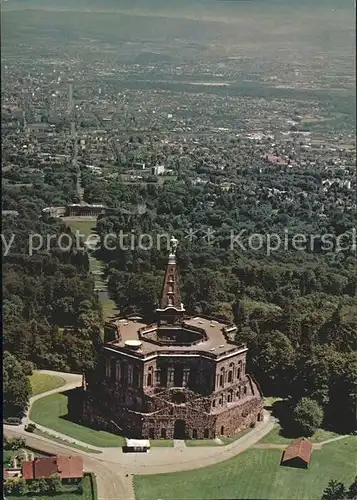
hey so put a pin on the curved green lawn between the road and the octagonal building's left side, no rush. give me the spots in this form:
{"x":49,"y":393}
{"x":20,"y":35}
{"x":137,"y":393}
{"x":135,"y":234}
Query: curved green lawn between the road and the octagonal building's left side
{"x":48,"y":411}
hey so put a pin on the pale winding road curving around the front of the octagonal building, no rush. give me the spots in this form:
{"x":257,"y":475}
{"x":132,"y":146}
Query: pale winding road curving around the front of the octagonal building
{"x":114,"y":469}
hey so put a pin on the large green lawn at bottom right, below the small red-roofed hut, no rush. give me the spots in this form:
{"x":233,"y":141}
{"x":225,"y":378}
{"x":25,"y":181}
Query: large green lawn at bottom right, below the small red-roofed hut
{"x":256,"y":473}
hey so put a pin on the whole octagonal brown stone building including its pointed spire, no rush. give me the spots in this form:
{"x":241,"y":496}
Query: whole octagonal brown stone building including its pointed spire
{"x":179,"y":378}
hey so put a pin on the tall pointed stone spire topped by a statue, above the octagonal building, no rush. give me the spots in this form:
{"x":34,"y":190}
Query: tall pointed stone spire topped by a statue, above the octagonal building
{"x":170,"y":308}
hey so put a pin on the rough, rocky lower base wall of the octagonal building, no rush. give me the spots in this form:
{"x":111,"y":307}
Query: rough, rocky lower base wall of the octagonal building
{"x":167,"y":413}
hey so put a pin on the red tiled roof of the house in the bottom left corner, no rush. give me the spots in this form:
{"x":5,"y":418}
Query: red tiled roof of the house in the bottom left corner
{"x":66,"y":467}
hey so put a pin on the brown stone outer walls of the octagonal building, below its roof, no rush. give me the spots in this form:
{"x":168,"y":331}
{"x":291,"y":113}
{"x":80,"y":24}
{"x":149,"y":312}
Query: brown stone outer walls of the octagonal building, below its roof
{"x":124,"y":394}
